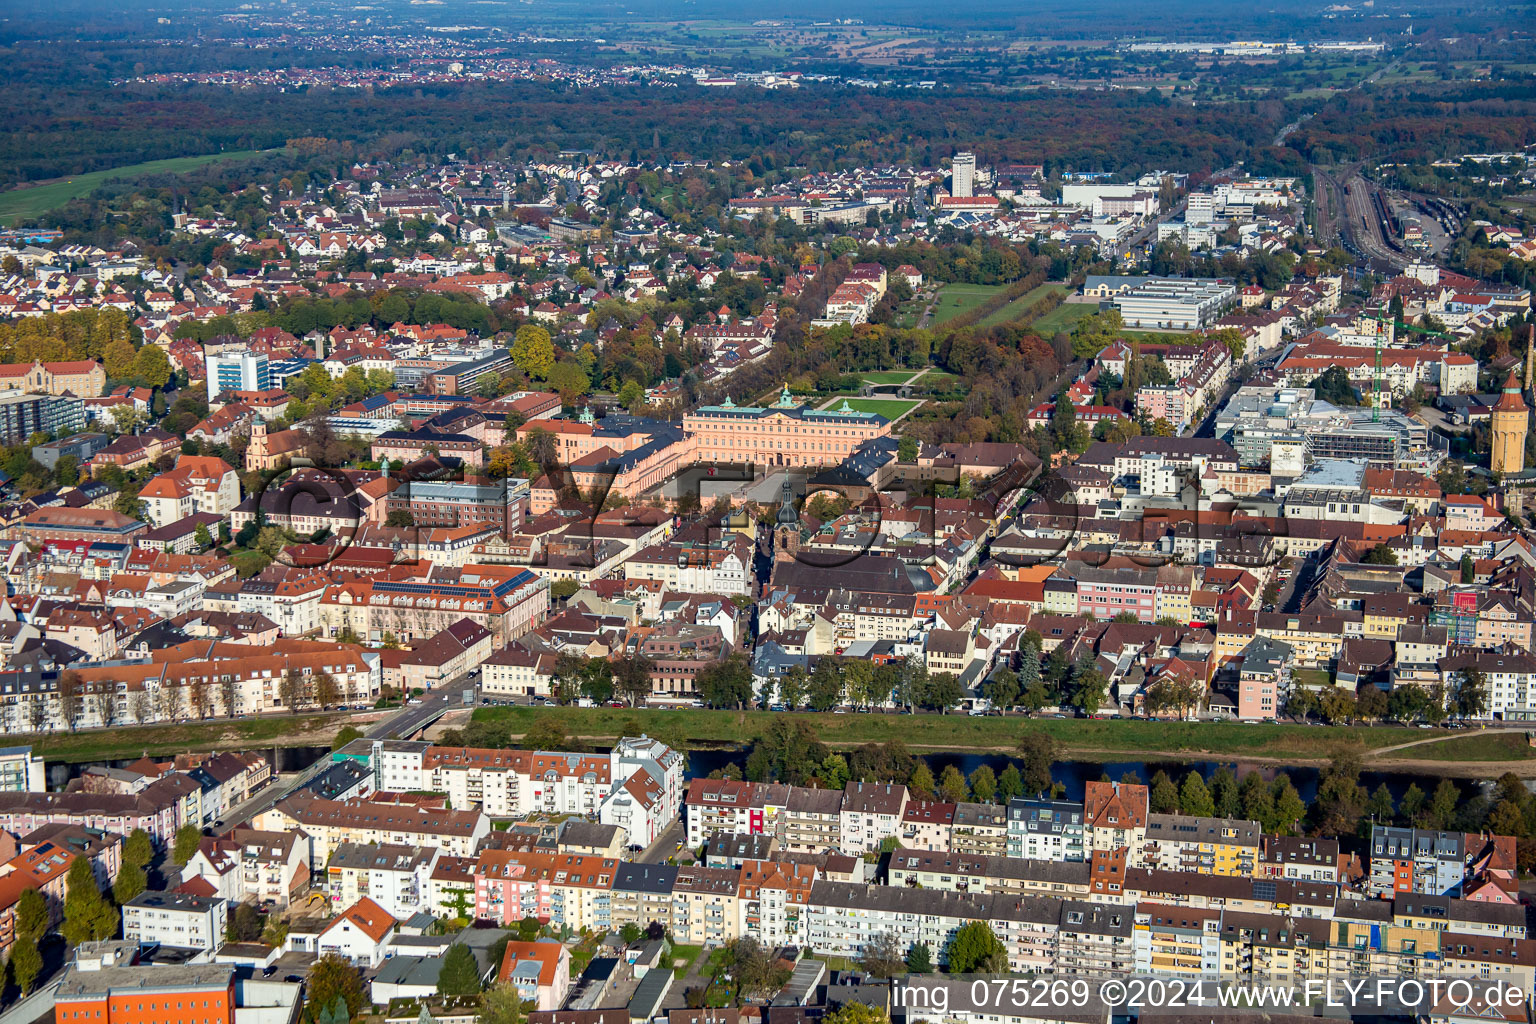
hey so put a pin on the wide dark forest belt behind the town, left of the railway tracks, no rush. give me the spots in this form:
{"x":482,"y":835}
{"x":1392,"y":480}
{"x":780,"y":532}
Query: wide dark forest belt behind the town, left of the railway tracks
{"x":64,"y":130}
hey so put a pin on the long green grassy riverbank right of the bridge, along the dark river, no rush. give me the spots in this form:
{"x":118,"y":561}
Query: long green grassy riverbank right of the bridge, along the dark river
{"x":1108,"y":739}
